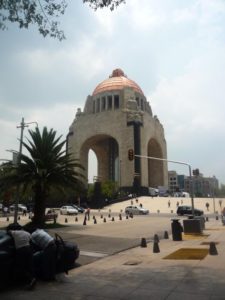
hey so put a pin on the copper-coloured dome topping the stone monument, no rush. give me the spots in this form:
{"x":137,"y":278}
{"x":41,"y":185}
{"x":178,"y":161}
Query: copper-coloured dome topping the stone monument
{"x":117,"y":81}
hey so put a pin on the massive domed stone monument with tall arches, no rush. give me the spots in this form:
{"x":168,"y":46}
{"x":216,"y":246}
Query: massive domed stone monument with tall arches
{"x":116,"y":118}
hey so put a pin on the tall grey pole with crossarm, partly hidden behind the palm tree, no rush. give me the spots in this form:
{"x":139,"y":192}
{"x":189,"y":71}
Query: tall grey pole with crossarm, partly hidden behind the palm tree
{"x":21,"y":126}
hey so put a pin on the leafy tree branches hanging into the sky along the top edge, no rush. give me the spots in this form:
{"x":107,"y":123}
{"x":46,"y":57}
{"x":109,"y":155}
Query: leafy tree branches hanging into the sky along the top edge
{"x":43,"y":13}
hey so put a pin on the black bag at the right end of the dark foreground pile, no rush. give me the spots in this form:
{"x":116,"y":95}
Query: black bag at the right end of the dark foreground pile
{"x":66,"y":254}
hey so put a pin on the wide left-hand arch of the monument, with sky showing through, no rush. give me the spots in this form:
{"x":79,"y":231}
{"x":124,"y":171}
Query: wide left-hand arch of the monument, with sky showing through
{"x":106,"y":149}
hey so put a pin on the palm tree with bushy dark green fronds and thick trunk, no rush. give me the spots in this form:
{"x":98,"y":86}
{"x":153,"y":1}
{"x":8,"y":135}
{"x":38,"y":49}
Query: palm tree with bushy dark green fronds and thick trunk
{"x":47,"y":166}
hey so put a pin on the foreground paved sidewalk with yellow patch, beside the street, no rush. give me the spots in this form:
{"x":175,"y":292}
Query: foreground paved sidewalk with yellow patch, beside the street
{"x":139,"y":273}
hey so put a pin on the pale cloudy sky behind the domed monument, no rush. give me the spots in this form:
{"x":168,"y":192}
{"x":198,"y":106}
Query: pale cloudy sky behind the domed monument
{"x":173,"y":49}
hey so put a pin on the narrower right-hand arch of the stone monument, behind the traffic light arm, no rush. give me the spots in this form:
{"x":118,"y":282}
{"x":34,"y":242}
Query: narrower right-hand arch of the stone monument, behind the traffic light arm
{"x":155,"y":167}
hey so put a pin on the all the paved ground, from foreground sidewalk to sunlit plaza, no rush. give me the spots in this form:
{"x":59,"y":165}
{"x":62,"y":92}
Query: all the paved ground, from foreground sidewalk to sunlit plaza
{"x":118,"y":268}
